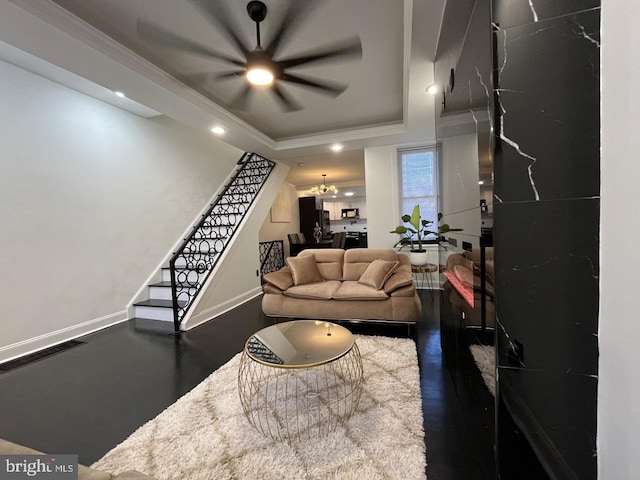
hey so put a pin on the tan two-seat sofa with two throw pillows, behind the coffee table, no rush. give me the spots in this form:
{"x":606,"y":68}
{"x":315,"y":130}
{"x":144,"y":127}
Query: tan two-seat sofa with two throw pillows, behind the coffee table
{"x":334,"y":284}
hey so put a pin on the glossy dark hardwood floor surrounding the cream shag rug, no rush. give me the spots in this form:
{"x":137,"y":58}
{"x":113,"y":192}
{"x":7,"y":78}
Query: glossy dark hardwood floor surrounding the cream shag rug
{"x":89,"y":398}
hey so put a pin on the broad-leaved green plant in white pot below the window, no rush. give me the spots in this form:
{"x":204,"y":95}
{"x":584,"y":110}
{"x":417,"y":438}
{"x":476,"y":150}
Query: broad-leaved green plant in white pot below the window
{"x":419,"y":228}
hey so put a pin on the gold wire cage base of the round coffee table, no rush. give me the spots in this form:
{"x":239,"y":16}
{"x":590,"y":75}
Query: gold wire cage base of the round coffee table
{"x":299,"y":403}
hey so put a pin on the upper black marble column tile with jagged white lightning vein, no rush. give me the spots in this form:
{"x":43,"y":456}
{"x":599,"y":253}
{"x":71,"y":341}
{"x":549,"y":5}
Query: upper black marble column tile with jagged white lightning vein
{"x":549,"y":143}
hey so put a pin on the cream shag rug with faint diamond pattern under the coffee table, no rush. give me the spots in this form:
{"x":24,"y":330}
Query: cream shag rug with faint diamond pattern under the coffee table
{"x":205,"y":435}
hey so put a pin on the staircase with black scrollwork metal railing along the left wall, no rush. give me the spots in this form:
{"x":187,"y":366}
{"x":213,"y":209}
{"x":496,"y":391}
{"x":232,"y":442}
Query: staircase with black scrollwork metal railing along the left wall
{"x":193,"y":262}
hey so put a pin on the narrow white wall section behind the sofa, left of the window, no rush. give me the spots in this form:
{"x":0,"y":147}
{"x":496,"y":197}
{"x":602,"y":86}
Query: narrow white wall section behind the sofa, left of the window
{"x":383,"y":207}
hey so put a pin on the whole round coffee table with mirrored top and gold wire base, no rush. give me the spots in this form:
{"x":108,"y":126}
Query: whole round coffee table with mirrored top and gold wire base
{"x":300,"y":379}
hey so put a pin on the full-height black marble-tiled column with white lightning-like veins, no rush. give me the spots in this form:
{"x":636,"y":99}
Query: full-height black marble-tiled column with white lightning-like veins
{"x":546,"y":231}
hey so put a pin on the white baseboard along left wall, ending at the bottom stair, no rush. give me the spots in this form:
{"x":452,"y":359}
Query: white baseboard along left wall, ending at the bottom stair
{"x":16,"y":350}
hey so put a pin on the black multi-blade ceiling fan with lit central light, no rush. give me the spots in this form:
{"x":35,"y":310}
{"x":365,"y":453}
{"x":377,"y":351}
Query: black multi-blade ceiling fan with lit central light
{"x":260,"y":67}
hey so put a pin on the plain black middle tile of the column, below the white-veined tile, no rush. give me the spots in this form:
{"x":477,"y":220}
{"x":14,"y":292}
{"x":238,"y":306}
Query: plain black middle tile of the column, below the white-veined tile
{"x":547,"y":280}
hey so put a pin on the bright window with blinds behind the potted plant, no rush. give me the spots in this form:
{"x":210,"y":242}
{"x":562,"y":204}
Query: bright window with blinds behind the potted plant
{"x":419,"y":182}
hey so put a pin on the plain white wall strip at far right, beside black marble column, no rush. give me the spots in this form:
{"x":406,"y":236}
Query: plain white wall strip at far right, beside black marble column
{"x":619,"y":331}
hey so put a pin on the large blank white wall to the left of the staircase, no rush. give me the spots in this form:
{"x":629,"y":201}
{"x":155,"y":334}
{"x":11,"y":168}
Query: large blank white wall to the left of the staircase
{"x":91,"y":200}
